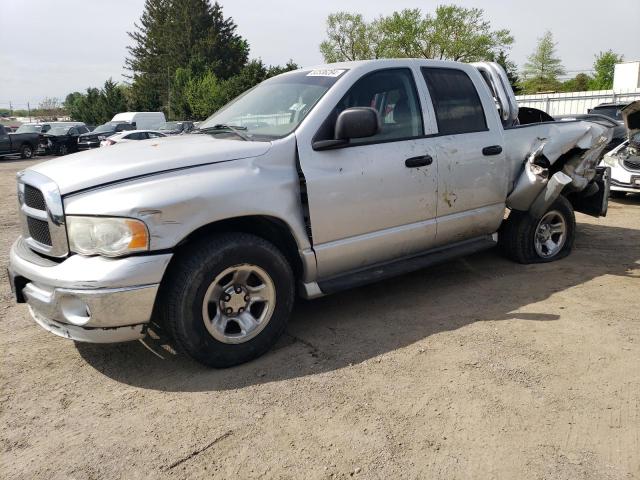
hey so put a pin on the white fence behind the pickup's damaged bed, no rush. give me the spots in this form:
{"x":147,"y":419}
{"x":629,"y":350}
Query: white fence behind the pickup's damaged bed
{"x":574,"y":103}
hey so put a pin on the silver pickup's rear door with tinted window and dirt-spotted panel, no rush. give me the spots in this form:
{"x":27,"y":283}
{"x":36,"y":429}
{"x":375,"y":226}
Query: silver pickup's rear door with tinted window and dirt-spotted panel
{"x":472,"y":178}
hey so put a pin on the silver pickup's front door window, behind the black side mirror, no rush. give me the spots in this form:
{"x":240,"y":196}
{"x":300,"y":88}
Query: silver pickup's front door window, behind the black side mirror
{"x":392,"y":93}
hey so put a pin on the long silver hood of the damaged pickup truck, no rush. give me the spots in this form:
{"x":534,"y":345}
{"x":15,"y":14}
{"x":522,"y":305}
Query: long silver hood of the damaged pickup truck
{"x":126,"y":160}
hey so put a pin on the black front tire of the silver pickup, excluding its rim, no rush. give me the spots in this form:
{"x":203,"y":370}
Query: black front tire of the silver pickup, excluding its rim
{"x":191,"y":273}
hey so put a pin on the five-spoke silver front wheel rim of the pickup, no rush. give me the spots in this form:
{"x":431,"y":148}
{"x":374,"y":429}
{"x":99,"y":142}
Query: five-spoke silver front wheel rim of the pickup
{"x":239,"y":303}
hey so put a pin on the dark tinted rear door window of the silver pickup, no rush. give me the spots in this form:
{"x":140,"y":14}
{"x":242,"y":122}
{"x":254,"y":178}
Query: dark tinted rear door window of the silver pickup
{"x":455,"y":101}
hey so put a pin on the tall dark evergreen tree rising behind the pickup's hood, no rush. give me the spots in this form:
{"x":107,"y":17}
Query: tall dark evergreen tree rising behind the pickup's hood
{"x":192,"y":35}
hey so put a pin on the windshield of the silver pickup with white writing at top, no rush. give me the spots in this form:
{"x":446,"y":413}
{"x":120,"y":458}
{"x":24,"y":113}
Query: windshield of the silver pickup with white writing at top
{"x":274,"y":108}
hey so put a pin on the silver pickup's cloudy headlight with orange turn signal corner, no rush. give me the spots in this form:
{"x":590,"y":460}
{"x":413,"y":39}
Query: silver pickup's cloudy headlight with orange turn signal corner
{"x":108,"y":236}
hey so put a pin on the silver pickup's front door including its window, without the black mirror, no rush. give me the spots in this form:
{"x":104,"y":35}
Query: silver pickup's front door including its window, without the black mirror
{"x":375,"y":199}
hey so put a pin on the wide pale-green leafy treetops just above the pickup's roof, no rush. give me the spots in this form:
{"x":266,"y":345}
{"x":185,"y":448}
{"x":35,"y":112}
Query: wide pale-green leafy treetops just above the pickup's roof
{"x":452,"y":33}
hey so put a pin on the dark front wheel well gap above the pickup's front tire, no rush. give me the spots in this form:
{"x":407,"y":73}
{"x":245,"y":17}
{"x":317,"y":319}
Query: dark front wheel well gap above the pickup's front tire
{"x":271,"y":229}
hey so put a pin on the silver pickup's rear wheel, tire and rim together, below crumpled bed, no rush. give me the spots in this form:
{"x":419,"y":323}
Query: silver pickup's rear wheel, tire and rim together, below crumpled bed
{"x":538,"y":240}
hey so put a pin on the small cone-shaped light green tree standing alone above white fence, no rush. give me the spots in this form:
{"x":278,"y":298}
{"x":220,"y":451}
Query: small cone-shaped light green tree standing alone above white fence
{"x":543,"y":68}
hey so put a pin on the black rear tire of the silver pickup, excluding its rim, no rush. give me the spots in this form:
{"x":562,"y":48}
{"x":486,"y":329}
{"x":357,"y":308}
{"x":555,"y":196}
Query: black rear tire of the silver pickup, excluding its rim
{"x":516,"y":237}
